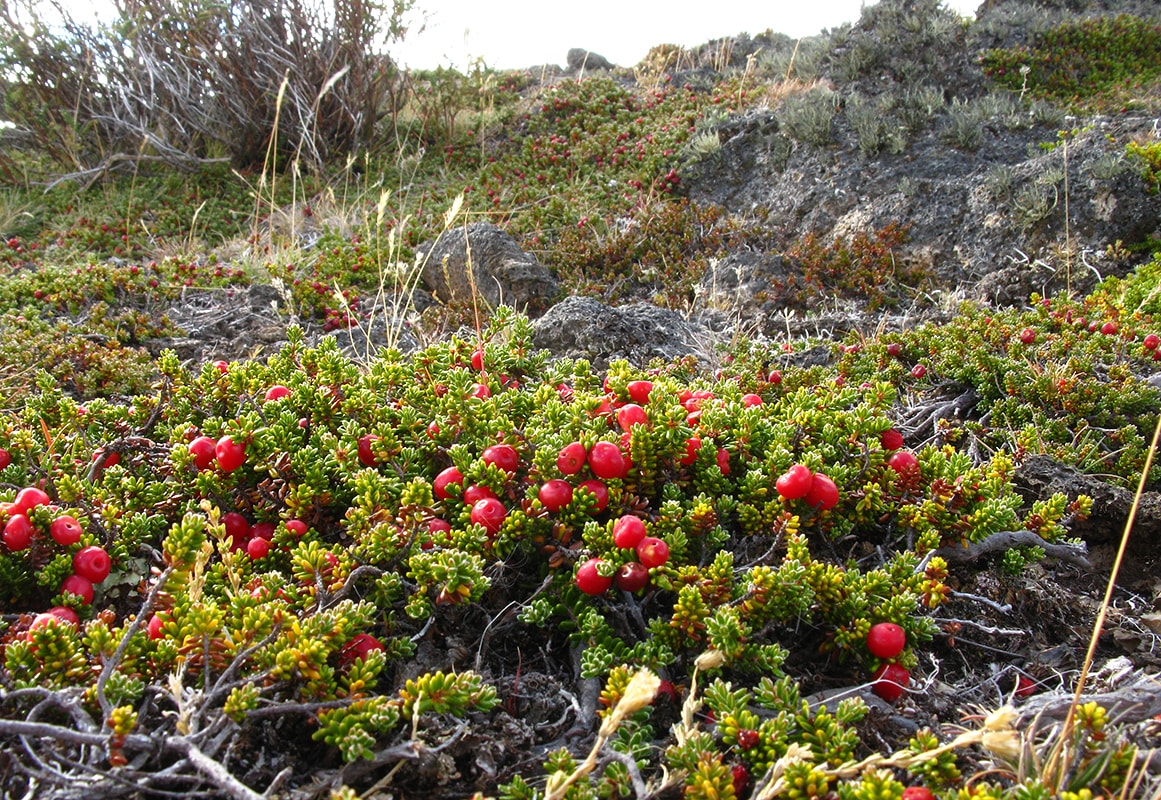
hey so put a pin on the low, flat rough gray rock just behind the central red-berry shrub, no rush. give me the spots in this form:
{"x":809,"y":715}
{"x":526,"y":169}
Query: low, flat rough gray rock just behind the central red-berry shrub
{"x":582,"y":328}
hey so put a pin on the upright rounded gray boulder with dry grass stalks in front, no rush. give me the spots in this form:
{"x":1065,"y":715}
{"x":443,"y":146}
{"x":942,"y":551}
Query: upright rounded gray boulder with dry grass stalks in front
{"x":501,"y":272}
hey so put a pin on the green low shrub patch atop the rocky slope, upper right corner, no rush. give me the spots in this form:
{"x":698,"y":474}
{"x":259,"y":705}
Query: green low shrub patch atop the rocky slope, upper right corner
{"x":1104,"y":63}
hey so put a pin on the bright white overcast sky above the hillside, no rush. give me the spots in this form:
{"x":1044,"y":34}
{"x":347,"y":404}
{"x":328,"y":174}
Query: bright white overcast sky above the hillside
{"x":514,"y":34}
